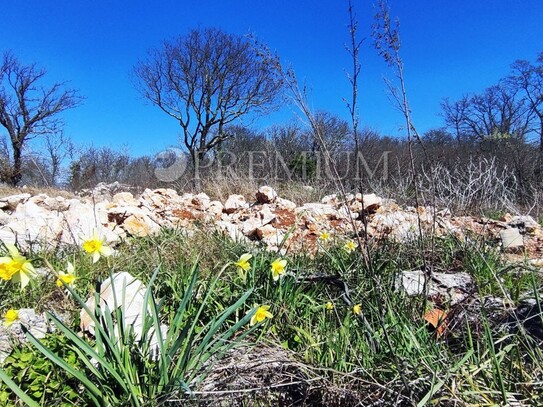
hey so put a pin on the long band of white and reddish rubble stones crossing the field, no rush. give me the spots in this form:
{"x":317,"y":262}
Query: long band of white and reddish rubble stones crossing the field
{"x":277,"y":223}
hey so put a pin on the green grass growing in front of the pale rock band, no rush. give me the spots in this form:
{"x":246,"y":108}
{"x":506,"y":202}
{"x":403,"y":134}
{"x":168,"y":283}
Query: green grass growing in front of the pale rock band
{"x":388,"y":353}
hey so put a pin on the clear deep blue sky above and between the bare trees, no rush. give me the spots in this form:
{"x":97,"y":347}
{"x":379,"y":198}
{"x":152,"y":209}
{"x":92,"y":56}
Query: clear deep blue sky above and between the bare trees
{"x":449,"y":48}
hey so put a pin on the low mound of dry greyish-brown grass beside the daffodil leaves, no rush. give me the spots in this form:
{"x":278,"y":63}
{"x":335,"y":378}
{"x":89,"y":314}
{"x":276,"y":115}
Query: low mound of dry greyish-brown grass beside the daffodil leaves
{"x":265,"y":375}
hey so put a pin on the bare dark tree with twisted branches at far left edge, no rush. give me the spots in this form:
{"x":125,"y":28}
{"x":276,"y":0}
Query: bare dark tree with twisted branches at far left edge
{"x":28,"y":110}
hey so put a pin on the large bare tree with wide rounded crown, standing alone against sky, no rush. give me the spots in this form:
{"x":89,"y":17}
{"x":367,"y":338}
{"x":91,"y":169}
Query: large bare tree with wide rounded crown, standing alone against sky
{"x":206,"y":80}
